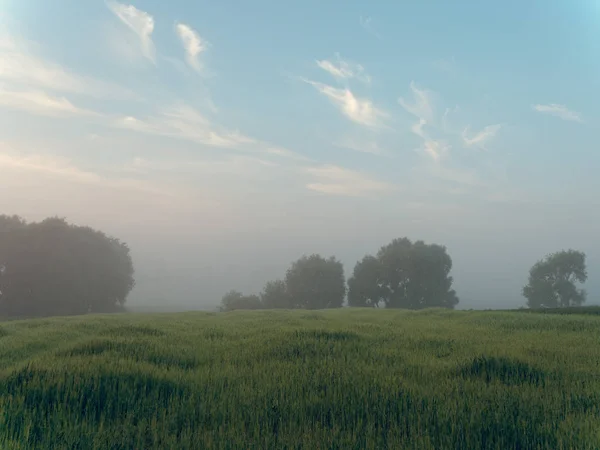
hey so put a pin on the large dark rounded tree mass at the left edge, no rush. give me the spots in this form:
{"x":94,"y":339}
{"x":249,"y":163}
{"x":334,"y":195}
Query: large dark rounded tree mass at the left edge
{"x":54,"y":268}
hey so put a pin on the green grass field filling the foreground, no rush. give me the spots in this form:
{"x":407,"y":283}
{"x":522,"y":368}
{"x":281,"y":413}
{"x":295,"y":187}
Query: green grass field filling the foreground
{"x":346,"y":379}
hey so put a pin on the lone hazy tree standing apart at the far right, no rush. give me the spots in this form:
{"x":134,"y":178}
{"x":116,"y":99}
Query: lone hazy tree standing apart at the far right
{"x":552,"y":281}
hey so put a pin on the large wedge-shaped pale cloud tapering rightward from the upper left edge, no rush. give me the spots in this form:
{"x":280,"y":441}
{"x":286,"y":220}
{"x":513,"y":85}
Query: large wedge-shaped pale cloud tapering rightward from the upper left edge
{"x":20,"y":67}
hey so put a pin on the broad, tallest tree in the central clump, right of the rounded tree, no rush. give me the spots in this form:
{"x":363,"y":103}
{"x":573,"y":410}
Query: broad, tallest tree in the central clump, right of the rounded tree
{"x":404,"y":275}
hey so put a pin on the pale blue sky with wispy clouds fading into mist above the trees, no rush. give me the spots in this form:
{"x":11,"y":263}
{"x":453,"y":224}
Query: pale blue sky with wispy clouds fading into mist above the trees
{"x":222,"y":140}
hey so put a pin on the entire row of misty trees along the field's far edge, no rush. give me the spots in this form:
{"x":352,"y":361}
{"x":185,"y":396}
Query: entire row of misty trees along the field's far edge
{"x":56,"y":268}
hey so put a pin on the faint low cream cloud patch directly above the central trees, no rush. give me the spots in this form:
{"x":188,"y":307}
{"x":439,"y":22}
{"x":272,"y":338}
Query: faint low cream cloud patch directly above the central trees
{"x":335,"y":180}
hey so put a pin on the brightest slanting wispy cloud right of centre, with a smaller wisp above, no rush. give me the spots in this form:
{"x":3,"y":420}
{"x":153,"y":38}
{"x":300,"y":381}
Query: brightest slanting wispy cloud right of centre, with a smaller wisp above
{"x":359,"y":110}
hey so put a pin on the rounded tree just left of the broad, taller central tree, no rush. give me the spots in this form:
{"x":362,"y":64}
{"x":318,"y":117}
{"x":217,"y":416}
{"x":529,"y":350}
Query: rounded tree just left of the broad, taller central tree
{"x":314,"y":282}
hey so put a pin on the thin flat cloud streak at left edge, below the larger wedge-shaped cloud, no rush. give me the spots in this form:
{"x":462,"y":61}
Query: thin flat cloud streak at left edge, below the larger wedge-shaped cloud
{"x":38,"y":102}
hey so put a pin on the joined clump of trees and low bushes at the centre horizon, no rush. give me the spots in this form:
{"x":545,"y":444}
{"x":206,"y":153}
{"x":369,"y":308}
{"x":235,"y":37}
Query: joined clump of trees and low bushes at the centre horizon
{"x":403,"y":274}
